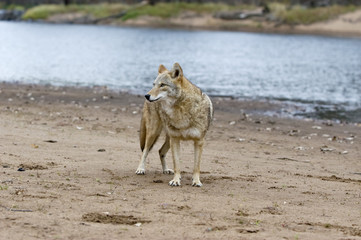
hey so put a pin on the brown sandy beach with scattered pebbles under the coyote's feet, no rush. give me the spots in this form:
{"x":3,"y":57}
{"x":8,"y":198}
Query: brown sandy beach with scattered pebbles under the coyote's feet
{"x":264,"y":177}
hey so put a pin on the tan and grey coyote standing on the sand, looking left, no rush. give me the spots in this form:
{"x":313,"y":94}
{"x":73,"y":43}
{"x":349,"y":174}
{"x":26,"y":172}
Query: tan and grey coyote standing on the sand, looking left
{"x":179,"y":107}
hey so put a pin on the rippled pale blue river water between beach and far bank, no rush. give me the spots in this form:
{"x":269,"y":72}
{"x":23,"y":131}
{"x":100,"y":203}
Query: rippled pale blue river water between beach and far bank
{"x":320,"y":74}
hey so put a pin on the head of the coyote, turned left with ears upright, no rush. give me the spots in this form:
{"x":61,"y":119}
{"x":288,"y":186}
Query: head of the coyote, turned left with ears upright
{"x":167,"y":84}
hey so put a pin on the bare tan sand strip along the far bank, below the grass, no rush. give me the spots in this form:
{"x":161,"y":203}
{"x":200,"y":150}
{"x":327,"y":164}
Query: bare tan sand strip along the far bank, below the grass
{"x":345,"y":25}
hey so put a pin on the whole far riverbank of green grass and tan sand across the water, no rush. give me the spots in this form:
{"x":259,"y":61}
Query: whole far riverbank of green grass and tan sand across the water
{"x":344,"y":21}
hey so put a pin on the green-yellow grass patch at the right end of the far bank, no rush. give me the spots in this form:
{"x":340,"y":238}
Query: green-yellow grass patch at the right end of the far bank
{"x":302,"y":15}
